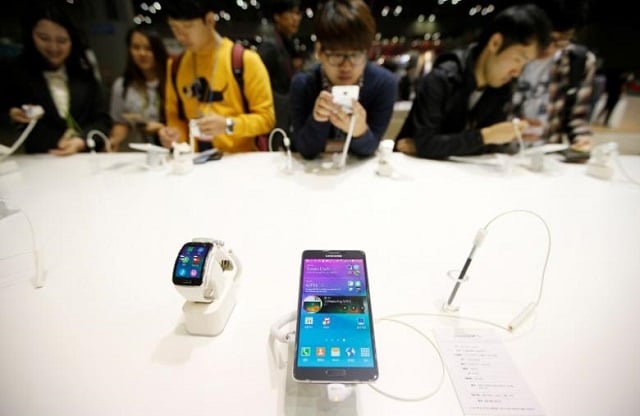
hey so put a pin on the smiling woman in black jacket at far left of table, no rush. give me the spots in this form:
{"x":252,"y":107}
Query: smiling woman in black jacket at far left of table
{"x":53,"y":71}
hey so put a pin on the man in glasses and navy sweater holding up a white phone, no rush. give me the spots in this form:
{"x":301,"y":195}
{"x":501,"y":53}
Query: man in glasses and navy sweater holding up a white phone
{"x":345,"y":30}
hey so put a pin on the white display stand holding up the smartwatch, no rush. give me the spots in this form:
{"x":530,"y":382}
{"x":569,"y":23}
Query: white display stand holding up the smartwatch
{"x":209,"y":319}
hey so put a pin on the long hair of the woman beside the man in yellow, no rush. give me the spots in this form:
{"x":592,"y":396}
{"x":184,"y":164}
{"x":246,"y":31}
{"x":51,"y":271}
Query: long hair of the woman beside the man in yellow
{"x":133,"y":75}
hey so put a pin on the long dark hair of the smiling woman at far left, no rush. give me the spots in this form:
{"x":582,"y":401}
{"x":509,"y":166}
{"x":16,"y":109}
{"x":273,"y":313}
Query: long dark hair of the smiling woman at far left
{"x":76,"y":63}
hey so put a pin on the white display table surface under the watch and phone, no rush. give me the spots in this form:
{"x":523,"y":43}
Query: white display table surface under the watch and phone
{"x":105,"y":335}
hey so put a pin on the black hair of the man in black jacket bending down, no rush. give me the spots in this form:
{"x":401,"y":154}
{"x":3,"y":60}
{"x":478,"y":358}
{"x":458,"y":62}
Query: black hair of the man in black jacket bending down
{"x":522,"y":24}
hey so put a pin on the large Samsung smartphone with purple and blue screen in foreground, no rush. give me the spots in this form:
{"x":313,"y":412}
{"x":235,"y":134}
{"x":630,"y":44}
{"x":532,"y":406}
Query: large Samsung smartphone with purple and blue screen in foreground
{"x":334,"y":331}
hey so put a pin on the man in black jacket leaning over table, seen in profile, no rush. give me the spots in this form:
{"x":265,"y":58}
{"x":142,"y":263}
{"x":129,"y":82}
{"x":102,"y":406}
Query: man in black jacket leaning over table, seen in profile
{"x":462,"y":104}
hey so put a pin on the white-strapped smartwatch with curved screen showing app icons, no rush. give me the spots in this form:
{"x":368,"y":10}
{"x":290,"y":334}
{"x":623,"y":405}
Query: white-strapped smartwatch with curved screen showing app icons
{"x":199,"y":272}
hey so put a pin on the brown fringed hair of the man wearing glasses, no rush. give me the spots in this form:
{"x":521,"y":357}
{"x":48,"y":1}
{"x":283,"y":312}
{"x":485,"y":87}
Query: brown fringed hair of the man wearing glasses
{"x":344,"y":24}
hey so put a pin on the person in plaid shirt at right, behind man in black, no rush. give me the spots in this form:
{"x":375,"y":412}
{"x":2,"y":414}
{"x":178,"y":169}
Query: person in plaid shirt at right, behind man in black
{"x":554,"y":91}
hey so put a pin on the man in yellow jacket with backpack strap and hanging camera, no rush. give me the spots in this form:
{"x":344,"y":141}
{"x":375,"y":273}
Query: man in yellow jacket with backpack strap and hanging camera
{"x":201,"y":87}
